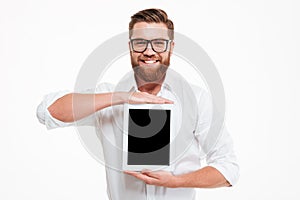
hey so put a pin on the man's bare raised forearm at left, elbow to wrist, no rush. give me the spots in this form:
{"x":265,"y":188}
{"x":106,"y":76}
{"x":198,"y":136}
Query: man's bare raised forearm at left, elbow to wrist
{"x":75,"y":106}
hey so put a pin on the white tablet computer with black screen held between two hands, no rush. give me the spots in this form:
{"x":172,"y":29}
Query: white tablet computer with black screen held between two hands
{"x":147,"y":134}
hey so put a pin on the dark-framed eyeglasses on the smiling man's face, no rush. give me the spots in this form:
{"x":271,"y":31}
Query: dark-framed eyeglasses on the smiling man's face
{"x":157,"y":45}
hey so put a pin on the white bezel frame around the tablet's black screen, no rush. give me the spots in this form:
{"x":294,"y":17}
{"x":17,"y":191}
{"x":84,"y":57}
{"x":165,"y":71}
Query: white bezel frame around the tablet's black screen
{"x":125,"y":136}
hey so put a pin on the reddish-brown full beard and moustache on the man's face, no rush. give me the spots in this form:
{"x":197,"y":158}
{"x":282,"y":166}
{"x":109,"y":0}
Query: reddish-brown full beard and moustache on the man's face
{"x":151,"y":73}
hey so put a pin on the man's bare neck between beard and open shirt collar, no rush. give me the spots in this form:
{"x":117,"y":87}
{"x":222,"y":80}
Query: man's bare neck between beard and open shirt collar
{"x":149,"y":87}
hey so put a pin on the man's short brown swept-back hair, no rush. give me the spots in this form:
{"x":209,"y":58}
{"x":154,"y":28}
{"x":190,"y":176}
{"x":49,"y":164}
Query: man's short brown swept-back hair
{"x":152,"y":15}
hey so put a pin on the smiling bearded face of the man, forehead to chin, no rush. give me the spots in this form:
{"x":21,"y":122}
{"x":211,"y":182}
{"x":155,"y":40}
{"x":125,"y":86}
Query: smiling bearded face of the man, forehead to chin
{"x":150,"y":66}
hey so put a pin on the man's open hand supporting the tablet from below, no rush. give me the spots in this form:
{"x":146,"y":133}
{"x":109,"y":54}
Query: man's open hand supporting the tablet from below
{"x":158,"y":178}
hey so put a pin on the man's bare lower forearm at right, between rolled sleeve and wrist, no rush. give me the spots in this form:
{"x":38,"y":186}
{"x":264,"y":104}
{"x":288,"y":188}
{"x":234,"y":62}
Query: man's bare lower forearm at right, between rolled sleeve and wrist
{"x":207,"y":177}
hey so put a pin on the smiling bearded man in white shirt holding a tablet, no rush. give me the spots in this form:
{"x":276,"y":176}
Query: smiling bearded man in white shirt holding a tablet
{"x":151,"y":45}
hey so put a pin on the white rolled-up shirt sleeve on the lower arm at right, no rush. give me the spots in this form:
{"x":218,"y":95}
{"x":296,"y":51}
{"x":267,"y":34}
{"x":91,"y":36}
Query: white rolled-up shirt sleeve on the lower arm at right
{"x":221,"y":153}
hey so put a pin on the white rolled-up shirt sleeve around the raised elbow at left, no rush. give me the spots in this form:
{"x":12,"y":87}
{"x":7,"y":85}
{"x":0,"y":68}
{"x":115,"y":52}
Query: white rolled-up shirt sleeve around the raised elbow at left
{"x":50,"y":122}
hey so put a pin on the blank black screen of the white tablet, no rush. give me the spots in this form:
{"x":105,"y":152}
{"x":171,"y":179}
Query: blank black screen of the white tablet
{"x":148,"y":137}
